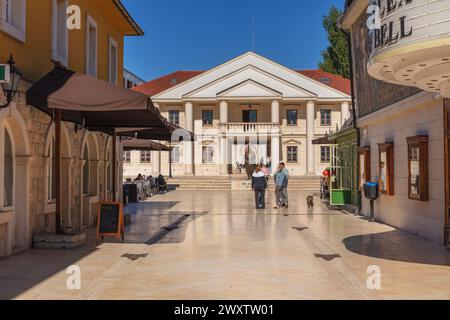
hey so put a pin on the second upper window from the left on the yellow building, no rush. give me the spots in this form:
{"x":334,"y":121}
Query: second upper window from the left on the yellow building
{"x":59,"y":32}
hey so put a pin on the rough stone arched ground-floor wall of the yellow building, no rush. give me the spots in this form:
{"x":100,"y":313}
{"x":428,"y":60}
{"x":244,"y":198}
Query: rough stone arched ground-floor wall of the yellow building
{"x":34,"y":126}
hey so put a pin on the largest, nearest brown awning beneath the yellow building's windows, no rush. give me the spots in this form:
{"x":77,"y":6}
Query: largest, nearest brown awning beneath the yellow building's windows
{"x":91,"y":102}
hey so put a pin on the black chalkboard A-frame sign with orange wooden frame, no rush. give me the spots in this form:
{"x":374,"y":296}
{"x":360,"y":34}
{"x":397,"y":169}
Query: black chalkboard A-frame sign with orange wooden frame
{"x":110,"y":220}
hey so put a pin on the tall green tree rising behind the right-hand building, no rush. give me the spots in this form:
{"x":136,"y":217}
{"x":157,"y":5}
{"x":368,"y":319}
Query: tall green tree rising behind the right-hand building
{"x":336,"y":56}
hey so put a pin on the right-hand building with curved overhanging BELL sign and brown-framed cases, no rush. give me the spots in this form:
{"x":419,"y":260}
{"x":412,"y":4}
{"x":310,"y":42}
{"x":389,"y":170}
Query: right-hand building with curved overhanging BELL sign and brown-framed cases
{"x":401,"y":80}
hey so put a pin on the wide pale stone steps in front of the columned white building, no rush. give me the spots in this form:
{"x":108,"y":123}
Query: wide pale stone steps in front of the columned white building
{"x":239,"y":183}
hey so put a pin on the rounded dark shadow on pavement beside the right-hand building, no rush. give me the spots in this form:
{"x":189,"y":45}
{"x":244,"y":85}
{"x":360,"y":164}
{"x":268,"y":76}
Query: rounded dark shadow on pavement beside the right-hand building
{"x":398,"y":246}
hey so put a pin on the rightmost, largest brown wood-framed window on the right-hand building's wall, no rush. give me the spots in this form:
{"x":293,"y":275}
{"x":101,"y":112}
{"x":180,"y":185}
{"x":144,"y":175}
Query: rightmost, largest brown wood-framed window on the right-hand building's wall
{"x":418,"y":168}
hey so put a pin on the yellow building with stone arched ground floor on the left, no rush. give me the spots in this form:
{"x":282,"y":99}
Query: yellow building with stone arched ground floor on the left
{"x":35,"y":34}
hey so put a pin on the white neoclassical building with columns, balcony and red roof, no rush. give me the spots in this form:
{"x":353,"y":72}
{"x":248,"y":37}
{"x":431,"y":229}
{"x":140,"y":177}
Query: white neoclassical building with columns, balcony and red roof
{"x":250,"y":103}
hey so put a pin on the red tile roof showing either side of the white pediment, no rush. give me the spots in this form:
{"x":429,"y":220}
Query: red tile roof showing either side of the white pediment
{"x":159,"y":85}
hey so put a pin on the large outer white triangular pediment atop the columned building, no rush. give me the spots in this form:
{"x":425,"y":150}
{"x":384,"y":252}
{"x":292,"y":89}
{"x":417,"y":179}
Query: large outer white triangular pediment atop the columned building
{"x":250,"y":66}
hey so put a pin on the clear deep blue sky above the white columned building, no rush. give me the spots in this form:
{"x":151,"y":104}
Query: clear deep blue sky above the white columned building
{"x":201,"y":34}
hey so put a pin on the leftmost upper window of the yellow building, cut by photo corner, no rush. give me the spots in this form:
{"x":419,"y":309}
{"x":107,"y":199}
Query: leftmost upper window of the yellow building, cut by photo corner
{"x":13,"y":18}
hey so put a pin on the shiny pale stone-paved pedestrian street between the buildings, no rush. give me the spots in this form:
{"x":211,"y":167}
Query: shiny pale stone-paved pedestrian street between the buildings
{"x":225,"y":250}
